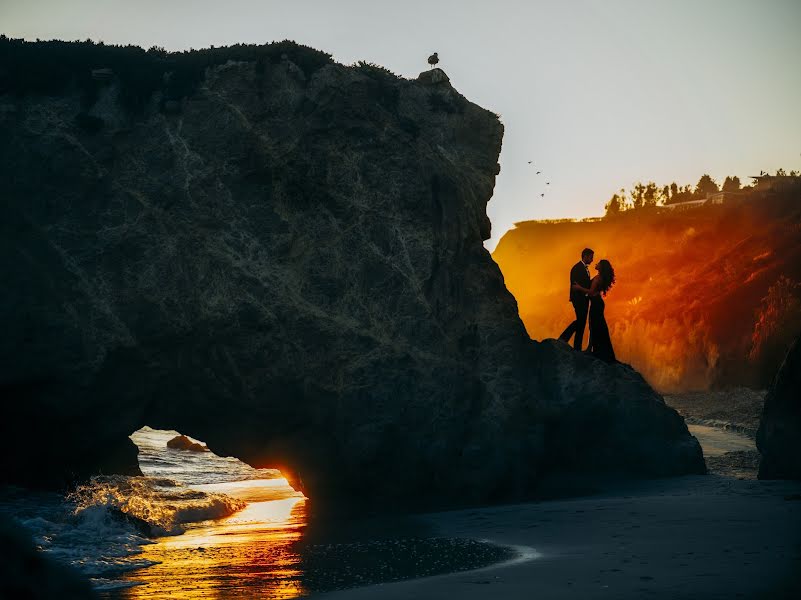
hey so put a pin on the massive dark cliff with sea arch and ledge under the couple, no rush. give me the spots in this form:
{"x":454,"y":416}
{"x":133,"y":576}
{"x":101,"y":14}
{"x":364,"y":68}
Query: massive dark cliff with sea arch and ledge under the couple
{"x":289,"y":266}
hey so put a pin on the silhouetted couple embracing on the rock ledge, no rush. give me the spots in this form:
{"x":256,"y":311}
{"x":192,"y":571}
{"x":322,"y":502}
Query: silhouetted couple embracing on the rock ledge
{"x":586,"y":295}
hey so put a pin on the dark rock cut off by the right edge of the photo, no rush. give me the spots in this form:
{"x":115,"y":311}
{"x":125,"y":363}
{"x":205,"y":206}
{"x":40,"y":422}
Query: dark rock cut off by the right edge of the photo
{"x":779,"y":435}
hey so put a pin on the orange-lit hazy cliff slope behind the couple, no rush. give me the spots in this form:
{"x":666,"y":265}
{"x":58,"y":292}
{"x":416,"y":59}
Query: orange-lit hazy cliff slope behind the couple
{"x":705,"y":297}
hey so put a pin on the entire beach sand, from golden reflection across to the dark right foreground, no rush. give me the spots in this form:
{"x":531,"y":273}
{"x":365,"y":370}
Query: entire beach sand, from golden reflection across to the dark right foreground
{"x":716,"y":536}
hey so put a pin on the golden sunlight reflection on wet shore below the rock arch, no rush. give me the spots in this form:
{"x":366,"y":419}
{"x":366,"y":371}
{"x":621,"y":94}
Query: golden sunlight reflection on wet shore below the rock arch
{"x":247,"y":555}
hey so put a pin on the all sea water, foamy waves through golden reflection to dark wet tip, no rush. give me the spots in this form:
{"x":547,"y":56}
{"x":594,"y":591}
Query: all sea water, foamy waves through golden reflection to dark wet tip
{"x":197,"y":525}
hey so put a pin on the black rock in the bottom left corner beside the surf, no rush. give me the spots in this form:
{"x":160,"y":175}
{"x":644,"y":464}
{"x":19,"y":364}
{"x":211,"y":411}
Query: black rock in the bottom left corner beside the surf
{"x":27,"y":573}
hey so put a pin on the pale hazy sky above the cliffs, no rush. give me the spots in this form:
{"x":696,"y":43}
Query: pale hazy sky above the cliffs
{"x":598,"y":94}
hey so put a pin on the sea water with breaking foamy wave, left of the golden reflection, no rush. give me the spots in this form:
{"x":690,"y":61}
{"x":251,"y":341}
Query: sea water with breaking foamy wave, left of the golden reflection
{"x":106,"y":527}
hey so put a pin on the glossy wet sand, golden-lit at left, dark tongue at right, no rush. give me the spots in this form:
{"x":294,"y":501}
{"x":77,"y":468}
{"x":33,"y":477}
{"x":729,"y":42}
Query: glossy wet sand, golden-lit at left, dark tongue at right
{"x":272,"y":549}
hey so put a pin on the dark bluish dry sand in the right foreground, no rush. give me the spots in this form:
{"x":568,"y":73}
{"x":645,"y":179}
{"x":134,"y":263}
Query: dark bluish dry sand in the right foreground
{"x":687,"y":537}
